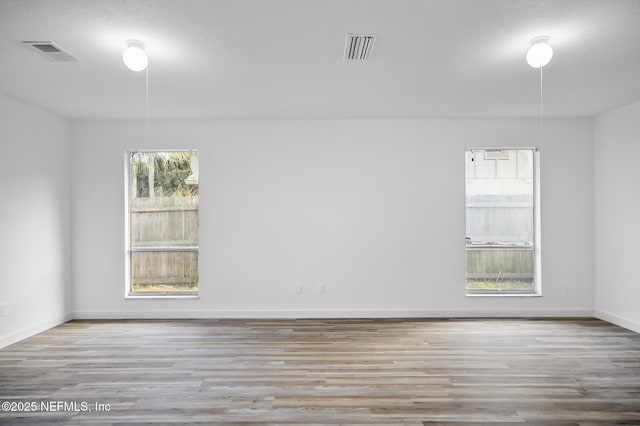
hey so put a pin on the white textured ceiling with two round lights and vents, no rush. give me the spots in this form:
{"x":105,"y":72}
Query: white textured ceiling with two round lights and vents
{"x":284,"y":58}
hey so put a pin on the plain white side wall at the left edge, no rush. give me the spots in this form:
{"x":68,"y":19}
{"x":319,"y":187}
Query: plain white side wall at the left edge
{"x":35,"y":221}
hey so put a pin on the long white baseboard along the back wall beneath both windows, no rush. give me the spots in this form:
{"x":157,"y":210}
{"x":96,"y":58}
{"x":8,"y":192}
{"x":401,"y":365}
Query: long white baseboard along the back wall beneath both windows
{"x":338,"y":313}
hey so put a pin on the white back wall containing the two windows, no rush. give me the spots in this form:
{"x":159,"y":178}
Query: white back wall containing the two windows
{"x":372,"y":208}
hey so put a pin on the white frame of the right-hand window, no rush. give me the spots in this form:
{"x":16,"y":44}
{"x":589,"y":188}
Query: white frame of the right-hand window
{"x":537,"y":241}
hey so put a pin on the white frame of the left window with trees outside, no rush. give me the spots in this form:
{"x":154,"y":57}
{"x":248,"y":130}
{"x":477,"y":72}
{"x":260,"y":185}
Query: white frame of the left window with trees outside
{"x":128,"y":250}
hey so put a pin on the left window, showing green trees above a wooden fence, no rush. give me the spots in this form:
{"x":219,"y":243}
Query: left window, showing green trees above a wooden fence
{"x":162,"y":223}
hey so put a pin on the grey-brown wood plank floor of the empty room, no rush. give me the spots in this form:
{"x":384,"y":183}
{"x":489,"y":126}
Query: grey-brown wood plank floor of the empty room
{"x":412,"y":372}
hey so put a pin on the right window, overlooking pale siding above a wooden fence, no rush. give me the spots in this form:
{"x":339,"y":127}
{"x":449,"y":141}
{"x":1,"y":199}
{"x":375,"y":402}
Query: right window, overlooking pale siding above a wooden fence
{"x":502,"y":226}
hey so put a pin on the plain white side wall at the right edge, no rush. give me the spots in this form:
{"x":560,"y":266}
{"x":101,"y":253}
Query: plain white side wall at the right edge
{"x":617,"y":216}
